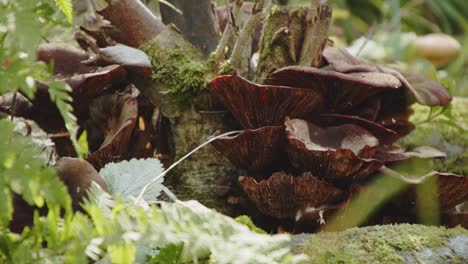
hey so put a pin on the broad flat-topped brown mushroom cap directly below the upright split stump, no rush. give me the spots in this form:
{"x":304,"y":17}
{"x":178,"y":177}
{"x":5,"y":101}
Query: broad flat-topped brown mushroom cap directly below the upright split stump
{"x":341,"y":92}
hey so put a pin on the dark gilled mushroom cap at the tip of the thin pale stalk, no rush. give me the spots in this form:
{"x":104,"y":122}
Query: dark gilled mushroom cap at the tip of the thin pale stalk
{"x":258,"y":151}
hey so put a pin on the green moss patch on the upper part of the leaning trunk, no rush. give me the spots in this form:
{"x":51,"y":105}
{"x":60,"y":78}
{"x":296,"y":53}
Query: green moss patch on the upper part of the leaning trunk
{"x":177,"y":66}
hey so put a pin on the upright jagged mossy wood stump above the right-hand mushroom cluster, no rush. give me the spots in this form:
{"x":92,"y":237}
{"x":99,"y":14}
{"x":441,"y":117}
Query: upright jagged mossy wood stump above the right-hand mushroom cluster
{"x":293,"y":37}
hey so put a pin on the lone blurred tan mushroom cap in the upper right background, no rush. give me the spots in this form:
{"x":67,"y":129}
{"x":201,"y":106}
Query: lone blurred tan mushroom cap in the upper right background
{"x":436,"y":47}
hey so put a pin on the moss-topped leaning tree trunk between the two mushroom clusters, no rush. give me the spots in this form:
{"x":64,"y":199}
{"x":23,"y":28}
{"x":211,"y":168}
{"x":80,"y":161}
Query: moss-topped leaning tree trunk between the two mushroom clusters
{"x":180,"y":88}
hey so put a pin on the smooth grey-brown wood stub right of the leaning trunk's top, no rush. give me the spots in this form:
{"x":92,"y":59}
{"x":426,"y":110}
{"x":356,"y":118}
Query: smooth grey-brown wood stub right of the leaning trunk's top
{"x":196,"y":21}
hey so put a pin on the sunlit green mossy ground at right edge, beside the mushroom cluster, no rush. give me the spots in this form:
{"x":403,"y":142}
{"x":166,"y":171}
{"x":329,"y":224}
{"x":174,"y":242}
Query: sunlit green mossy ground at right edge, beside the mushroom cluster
{"x":446,"y":133}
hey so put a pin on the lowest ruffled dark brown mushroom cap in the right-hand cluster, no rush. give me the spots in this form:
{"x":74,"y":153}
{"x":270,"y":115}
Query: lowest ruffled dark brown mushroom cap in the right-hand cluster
{"x":283,"y":196}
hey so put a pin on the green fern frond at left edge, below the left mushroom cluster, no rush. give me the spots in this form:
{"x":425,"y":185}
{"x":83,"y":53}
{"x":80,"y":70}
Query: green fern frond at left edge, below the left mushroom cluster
{"x":23,"y":173}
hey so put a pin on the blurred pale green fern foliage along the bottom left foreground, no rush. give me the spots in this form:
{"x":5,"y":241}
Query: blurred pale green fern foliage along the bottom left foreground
{"x":125,"y":232}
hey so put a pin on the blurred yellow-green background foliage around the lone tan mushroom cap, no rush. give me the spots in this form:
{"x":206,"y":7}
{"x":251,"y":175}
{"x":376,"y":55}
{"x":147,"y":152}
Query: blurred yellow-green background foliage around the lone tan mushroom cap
{"x":385,"y":28}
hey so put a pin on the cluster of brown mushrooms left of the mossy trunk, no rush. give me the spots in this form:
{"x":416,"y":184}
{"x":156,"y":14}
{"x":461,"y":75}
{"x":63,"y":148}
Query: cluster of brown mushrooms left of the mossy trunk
{"x":120,"y":123}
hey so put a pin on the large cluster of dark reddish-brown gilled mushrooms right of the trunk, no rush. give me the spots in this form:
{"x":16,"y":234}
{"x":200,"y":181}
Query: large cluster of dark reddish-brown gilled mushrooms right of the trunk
{"x":314,"y":136}
